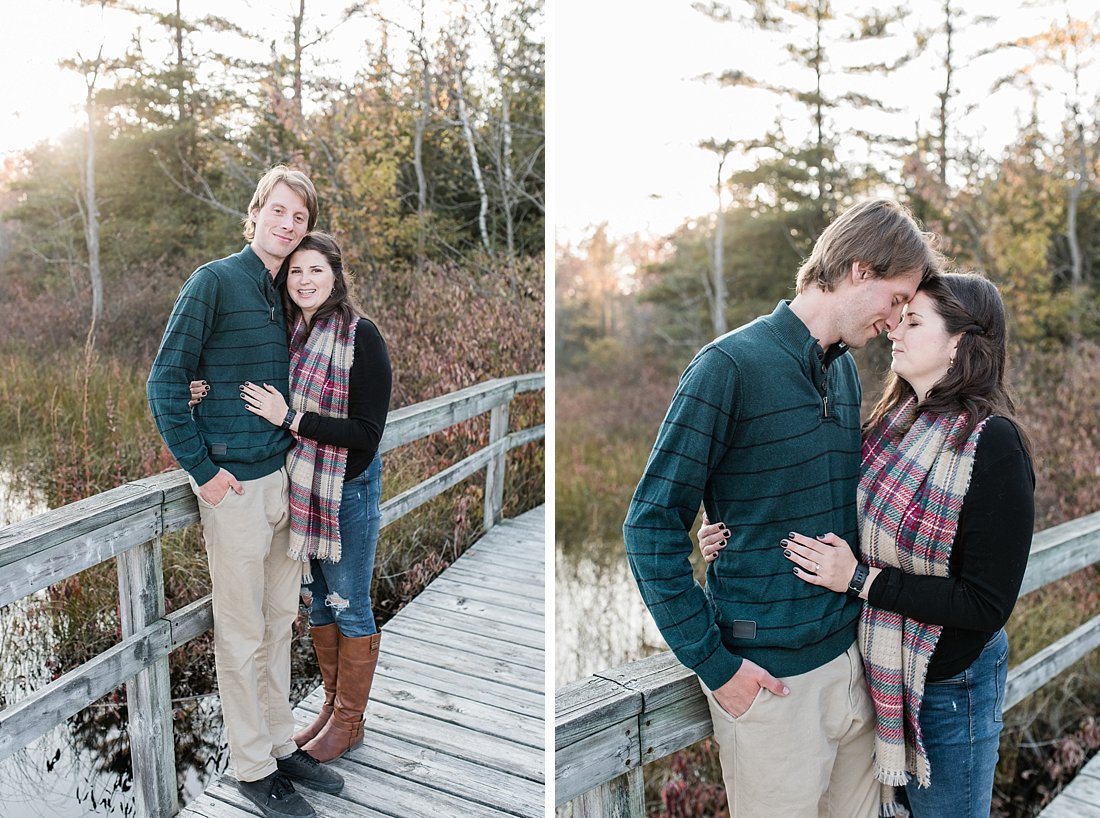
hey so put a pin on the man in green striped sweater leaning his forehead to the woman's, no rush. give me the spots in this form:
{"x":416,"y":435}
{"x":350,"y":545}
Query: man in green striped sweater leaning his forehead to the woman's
{"x":764,"y":429}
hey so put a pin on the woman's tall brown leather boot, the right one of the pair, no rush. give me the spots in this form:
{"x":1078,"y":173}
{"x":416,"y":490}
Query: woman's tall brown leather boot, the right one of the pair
{"x":358,"y":659}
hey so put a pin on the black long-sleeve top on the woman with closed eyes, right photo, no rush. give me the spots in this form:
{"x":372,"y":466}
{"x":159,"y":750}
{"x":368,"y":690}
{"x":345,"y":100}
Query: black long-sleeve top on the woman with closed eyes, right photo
{"x":988,"y":557}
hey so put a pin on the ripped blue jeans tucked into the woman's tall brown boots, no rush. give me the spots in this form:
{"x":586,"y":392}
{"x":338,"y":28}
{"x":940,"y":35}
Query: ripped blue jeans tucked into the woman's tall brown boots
{"x":342,"y":592}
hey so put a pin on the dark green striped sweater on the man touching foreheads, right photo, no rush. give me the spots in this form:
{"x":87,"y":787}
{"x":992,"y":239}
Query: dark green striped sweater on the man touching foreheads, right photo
{"x":765,"y":430}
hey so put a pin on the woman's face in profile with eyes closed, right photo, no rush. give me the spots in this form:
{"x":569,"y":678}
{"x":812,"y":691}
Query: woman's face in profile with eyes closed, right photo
{"x":922,"y":348}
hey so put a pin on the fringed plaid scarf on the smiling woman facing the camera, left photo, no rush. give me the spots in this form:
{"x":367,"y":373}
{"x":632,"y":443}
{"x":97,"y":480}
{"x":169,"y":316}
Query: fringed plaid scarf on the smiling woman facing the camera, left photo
{"x":320,"y":379}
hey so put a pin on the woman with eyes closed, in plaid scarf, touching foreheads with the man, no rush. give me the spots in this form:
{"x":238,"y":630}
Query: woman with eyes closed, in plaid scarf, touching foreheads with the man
{"x":947,"y":510}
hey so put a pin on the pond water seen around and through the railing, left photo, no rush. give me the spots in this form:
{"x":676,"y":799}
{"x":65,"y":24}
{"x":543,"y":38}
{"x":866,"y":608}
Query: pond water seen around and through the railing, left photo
{"x":82,"y":768}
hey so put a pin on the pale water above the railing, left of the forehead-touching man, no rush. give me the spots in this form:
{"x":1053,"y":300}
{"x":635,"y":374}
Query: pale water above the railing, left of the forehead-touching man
{"x":600,"y":618}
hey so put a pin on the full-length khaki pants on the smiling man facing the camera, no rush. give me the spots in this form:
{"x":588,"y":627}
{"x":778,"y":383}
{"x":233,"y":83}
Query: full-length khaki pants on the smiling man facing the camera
{"x":256,"y":602}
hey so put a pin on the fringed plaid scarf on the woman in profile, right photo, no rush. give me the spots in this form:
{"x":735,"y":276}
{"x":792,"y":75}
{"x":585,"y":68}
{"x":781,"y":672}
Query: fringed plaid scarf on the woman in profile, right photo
{"x":911,"y":490}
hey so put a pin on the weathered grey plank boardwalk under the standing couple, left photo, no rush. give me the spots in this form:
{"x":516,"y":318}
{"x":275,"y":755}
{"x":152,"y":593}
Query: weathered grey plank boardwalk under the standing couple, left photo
{"x":456,"y":722}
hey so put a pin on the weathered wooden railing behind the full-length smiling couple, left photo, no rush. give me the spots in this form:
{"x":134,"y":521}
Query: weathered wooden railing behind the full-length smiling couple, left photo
{"x":127,"y":524}
